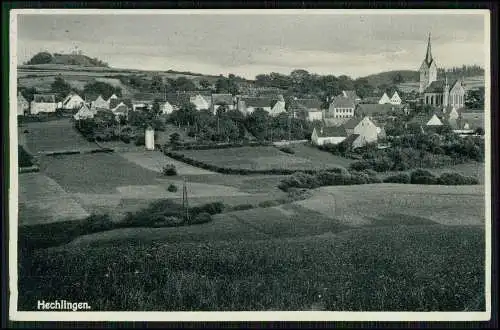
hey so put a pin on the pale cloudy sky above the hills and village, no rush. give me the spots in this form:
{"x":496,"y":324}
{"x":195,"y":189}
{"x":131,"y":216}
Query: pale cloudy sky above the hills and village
{"x":249,"y":44}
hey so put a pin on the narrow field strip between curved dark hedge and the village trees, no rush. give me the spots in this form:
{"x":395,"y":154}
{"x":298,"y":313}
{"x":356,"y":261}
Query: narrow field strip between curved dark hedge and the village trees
{"x":265,"y":158}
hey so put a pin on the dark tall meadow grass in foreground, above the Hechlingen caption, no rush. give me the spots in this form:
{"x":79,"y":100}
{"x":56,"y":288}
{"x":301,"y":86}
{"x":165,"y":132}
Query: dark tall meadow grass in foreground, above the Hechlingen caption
{"x":417,"y":268}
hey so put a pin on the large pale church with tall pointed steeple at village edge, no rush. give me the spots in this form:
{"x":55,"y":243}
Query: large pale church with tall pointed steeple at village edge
{"x":439,"y":93}
